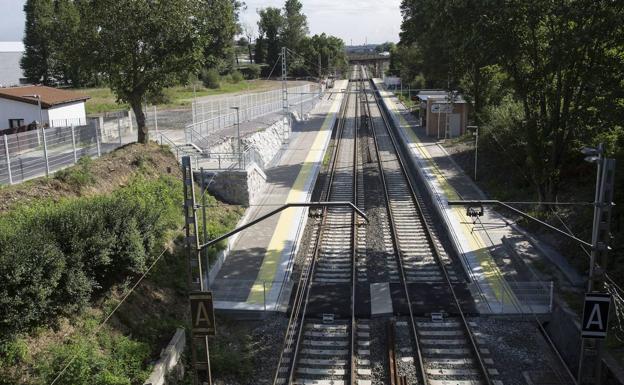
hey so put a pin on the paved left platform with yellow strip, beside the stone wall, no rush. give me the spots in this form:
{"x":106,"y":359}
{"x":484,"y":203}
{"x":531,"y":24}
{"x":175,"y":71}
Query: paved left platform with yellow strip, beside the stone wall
{"x":255,"y":274}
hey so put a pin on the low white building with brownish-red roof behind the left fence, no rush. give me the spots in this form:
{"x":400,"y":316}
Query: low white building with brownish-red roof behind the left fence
{"x":21,"y":106}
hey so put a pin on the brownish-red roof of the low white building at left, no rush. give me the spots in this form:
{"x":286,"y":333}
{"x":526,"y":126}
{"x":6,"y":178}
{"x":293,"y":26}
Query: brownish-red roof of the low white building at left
{"x":50,"y":96}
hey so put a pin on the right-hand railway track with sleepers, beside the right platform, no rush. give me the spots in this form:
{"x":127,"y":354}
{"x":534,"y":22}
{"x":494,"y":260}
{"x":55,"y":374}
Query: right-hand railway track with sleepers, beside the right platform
{"x":443,"y":350}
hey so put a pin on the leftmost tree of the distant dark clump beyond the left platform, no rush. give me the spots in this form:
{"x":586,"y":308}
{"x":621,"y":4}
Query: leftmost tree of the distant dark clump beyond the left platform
{"x":269,"y":26}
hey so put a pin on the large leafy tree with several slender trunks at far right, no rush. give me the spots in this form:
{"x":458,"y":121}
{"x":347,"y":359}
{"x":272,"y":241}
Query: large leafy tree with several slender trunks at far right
{"x":562,"y":57}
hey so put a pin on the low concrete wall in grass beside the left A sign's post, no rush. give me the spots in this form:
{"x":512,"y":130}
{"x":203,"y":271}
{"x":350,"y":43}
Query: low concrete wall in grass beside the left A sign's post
{"x":167,"y":365}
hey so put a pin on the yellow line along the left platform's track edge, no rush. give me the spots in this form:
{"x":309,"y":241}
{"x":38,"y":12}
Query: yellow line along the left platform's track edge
{"x":266,"y":274}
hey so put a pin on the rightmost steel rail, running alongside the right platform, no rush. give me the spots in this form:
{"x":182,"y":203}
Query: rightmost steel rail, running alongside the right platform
{"x":429,"y":233}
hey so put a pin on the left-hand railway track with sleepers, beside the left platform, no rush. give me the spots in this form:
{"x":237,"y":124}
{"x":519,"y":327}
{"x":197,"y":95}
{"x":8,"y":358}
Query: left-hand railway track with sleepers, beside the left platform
{"x":324,"y":350}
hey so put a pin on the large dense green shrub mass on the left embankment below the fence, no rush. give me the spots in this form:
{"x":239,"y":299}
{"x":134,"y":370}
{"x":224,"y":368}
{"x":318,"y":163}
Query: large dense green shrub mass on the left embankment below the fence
{"x":54,"y":257}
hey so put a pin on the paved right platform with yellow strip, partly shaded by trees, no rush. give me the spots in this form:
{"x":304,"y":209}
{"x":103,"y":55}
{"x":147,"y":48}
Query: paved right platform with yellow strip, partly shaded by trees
{"x":480,"y":243}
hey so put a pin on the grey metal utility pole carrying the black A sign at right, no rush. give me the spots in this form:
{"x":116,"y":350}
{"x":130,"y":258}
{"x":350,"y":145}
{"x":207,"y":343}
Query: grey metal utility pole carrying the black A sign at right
{"x":591,"y":349}
